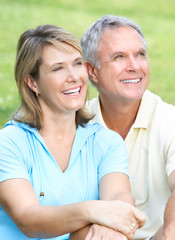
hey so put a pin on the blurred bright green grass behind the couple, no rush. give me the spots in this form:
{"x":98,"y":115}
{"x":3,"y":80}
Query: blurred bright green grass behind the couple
{"x":156,"y":17}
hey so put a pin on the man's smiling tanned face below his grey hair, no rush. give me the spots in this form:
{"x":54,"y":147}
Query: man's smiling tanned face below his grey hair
{"x":124,"y":71}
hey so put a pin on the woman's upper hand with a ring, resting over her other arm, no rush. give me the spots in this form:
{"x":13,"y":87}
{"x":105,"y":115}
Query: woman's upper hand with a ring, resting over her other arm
{"x":120,"y":216}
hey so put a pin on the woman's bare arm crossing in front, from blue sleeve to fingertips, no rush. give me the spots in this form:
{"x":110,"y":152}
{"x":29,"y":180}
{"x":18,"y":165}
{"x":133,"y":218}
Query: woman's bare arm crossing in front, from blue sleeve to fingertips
{"x":19,"y":200}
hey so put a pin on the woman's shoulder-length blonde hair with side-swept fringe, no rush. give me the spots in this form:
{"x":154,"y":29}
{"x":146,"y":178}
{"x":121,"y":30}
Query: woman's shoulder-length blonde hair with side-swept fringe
{"x":29,"y":52}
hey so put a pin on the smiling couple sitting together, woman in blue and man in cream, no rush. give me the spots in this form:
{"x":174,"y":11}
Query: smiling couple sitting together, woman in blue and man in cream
{"x":103,"y":171}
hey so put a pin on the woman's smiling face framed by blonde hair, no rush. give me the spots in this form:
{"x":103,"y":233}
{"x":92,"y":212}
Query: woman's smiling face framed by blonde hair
{"x":63,"y":80}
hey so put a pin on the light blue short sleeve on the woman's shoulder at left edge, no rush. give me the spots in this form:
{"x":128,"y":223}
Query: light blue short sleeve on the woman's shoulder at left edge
{"x":12,"y":152}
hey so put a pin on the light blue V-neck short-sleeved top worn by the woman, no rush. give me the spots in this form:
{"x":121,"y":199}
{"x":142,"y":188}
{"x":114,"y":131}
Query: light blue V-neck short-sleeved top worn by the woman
{"x":23,"y":154}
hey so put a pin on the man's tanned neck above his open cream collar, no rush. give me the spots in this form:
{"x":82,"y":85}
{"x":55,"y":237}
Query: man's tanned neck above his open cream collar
{"x":119,"y":117}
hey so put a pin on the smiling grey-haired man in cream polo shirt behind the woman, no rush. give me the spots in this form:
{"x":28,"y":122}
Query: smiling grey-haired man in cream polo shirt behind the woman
{"x":115,"y":55}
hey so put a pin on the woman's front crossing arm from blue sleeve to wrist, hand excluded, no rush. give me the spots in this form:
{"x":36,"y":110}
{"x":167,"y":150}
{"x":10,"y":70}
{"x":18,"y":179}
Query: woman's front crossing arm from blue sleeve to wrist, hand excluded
{"x":19,"y":200}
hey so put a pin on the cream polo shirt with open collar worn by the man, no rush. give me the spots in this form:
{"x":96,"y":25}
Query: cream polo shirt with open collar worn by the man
{"x":151,"y":148}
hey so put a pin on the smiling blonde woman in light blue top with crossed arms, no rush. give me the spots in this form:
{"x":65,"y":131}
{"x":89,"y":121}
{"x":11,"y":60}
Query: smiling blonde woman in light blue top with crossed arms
{"x":51,"y":159}
